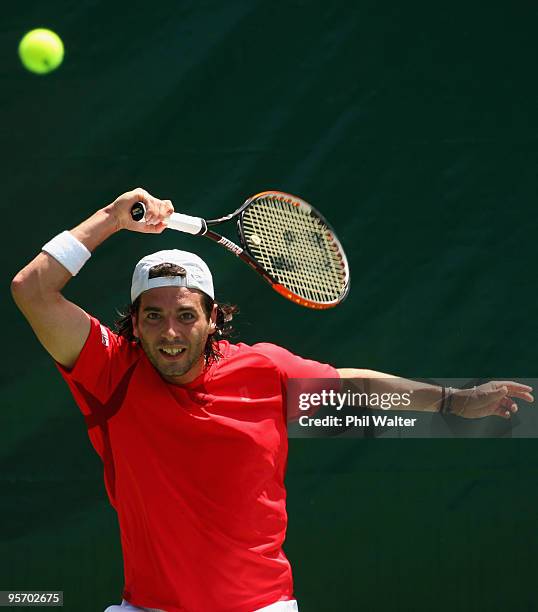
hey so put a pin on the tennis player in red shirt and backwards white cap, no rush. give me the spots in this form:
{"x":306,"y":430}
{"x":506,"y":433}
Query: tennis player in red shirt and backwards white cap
{"x":191,"y":428}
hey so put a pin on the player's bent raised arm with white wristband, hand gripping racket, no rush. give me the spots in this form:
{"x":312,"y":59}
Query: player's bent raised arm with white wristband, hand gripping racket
{"x":61,"y":326}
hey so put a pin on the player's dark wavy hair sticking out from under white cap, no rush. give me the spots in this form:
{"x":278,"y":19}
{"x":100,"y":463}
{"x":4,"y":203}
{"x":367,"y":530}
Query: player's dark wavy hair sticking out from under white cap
{"x":225,"y":313}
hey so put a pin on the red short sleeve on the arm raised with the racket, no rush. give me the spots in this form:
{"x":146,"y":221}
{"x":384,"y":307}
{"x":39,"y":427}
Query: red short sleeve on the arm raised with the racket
{"x":102,"y":363}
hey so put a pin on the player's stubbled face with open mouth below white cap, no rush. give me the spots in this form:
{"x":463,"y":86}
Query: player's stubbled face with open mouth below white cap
{"x":173,"y":327}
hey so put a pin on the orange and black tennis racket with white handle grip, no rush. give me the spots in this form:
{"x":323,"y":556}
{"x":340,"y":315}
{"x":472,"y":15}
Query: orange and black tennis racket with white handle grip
{"x":286,"y":240}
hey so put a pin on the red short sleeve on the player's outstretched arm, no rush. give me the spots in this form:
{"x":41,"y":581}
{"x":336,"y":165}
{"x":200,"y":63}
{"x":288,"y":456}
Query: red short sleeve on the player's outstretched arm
{"x":300,"y":376}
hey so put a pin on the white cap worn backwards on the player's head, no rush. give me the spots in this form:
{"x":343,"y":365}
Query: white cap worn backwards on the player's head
{"x":197,"y":274}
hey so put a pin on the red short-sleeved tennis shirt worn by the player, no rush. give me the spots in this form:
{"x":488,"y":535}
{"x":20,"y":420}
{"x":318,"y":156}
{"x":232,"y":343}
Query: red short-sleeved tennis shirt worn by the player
{"x":195,"y":472}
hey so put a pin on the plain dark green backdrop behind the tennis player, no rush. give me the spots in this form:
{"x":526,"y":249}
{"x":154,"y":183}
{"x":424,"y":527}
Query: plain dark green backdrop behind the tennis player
{"x":413,"y":127}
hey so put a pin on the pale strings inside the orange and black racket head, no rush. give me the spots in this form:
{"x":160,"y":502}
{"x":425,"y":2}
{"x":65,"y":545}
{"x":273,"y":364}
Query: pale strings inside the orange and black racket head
{"x":296,"y":248}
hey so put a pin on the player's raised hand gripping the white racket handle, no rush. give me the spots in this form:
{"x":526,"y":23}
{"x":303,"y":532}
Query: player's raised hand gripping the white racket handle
{"x":156,"y":211}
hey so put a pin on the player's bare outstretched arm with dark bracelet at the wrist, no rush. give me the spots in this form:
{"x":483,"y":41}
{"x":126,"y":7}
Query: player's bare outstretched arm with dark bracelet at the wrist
{"x":492,"y":398}
